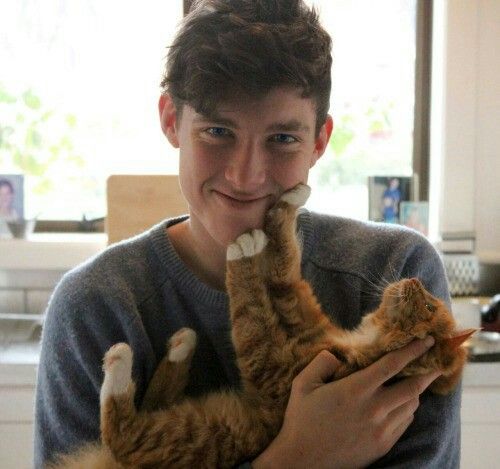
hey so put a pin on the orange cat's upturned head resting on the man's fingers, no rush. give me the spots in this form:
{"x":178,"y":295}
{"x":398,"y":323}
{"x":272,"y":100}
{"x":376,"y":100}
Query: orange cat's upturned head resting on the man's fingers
{"x":410,"y":308}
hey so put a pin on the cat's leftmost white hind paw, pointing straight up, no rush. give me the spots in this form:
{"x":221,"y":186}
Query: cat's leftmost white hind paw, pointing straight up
{"x":117,"y":371}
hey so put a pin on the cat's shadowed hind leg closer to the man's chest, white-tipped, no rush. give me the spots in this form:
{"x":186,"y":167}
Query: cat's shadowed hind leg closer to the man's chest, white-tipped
{"x":172,"y":374}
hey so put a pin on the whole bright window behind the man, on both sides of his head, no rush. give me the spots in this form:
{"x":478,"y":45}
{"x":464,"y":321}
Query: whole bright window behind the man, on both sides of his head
{"x":79,"y":94}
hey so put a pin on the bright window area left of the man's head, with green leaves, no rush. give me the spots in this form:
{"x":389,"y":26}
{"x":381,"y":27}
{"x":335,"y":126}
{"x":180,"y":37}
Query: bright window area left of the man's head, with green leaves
{"x":78,"y":98}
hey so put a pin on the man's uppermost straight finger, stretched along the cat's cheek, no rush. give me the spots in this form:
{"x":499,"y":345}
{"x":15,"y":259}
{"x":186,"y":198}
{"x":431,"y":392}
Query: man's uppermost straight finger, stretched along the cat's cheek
{"x":393,"y":362}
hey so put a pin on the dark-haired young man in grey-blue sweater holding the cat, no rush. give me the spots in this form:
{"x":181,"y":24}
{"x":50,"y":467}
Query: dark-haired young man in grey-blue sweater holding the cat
{"x":245,"y":99}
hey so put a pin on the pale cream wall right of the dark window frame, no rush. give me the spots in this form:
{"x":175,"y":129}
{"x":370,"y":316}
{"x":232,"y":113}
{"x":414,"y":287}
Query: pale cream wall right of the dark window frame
{"x":466,"y":120}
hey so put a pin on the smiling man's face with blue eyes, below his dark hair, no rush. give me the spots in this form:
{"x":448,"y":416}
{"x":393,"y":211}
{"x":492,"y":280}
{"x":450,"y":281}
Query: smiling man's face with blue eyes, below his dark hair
{"x":235,"y":164}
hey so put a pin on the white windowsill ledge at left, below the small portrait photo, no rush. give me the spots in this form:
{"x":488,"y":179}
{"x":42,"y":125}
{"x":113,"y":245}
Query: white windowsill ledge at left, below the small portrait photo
{"x":50,"y":251}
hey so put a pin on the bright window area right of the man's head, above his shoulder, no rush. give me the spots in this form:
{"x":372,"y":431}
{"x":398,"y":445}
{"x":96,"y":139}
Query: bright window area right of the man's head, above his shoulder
{"x":372,"y":102}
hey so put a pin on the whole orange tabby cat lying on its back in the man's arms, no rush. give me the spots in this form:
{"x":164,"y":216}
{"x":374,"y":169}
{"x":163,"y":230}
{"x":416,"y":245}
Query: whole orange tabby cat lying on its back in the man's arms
{"x":278,"y":327}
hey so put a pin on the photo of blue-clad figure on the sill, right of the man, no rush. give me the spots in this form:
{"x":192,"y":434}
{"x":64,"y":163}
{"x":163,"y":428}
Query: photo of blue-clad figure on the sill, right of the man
{"x":386,"y":194}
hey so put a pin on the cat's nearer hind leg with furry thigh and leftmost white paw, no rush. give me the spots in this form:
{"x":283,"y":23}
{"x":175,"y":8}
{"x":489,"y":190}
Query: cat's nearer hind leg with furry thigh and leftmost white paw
{"x":220,"y":430}
